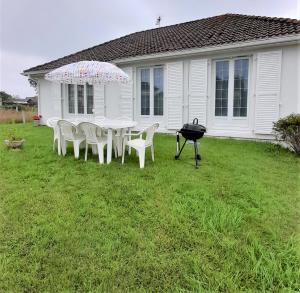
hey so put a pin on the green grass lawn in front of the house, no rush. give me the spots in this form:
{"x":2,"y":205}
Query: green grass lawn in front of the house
{"x":69,"y":225}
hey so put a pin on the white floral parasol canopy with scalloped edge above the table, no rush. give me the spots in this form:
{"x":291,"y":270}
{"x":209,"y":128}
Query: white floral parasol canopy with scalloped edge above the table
{"x":92,"y":72}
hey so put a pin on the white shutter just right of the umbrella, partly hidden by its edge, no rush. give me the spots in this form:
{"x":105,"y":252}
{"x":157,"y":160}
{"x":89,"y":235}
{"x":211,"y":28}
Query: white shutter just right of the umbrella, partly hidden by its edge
{"x":126,"y":100}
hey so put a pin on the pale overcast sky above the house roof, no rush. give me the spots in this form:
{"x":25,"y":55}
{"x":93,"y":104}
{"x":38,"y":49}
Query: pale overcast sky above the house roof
{"x":36,"y":31}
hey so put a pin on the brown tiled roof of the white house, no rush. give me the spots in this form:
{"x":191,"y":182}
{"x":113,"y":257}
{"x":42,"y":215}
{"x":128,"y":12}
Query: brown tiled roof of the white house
{"x":217,"y":30}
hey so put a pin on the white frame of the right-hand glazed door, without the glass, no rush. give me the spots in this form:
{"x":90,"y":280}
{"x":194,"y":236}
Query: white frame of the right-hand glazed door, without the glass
{"x":231,"y":61}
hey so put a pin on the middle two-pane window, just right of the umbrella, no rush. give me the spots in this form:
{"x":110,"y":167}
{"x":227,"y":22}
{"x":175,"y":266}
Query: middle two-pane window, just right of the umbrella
{"x":152,"y":91}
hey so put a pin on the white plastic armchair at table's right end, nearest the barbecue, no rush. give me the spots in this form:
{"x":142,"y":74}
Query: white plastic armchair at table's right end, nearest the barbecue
{"x":140,"y":144}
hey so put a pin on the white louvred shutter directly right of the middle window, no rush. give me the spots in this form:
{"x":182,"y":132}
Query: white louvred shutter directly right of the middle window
{"x":174,"y":94}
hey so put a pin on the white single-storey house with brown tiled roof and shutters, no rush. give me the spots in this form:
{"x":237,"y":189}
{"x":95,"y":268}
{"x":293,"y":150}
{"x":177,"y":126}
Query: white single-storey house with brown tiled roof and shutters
{"x":235,"y":73}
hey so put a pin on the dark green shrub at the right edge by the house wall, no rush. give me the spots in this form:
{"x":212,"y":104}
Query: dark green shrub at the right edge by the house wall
{"x":288,"y":129}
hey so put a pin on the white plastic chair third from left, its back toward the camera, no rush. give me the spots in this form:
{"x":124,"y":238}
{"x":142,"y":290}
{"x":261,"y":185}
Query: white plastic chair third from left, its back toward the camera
{"x":94,"y":135}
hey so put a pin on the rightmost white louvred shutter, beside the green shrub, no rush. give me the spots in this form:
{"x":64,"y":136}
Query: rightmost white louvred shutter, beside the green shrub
{"x":267,"y":90}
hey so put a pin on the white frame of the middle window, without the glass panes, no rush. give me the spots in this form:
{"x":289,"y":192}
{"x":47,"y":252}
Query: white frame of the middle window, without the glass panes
{"x":151,"y":112}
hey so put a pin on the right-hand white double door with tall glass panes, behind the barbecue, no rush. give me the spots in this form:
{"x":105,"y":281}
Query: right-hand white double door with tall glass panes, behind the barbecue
{"x":230,"y":94}
